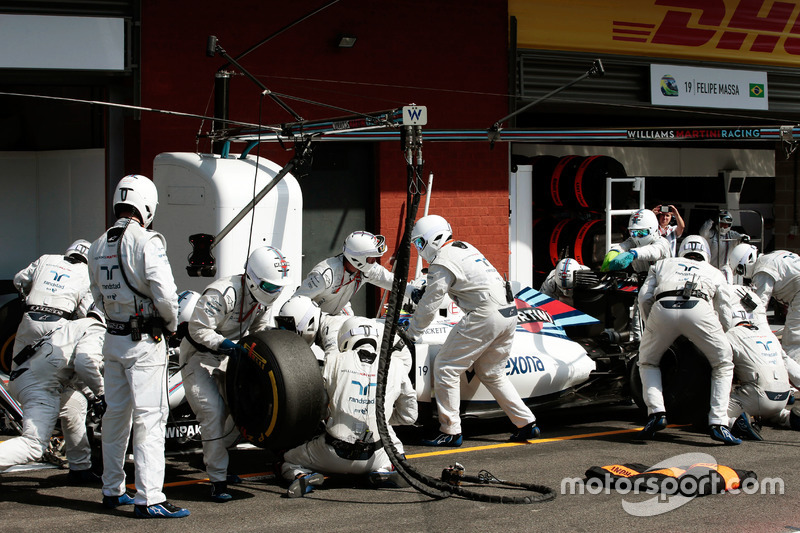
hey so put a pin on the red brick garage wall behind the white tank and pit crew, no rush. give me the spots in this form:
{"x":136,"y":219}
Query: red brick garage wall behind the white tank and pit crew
{"x":449,"y":55}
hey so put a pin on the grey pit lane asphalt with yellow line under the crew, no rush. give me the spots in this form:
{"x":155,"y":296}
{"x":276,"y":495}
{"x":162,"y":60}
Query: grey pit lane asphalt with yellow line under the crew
{"x":573,"y":440}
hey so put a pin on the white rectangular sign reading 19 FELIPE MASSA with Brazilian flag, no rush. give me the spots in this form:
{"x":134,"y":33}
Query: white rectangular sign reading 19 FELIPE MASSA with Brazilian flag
{"x":672,"y":85}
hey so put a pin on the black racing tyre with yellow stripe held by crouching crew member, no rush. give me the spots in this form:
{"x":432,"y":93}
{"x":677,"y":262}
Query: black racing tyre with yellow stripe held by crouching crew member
{"x":275,"y":393}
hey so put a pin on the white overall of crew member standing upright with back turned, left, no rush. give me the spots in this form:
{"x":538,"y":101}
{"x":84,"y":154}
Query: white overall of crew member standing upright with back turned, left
{"x":135,"y":370}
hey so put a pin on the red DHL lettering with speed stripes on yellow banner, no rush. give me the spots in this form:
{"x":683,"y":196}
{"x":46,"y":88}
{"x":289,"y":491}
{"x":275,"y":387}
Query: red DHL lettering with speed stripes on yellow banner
{"x":747,"y":25}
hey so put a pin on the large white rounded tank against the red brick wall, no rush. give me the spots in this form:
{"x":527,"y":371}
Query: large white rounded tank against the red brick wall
{"x":202,"y":193}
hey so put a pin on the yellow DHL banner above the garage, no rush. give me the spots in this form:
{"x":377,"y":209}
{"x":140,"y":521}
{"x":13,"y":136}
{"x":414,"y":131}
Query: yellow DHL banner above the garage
{"x":744,"y":31}
